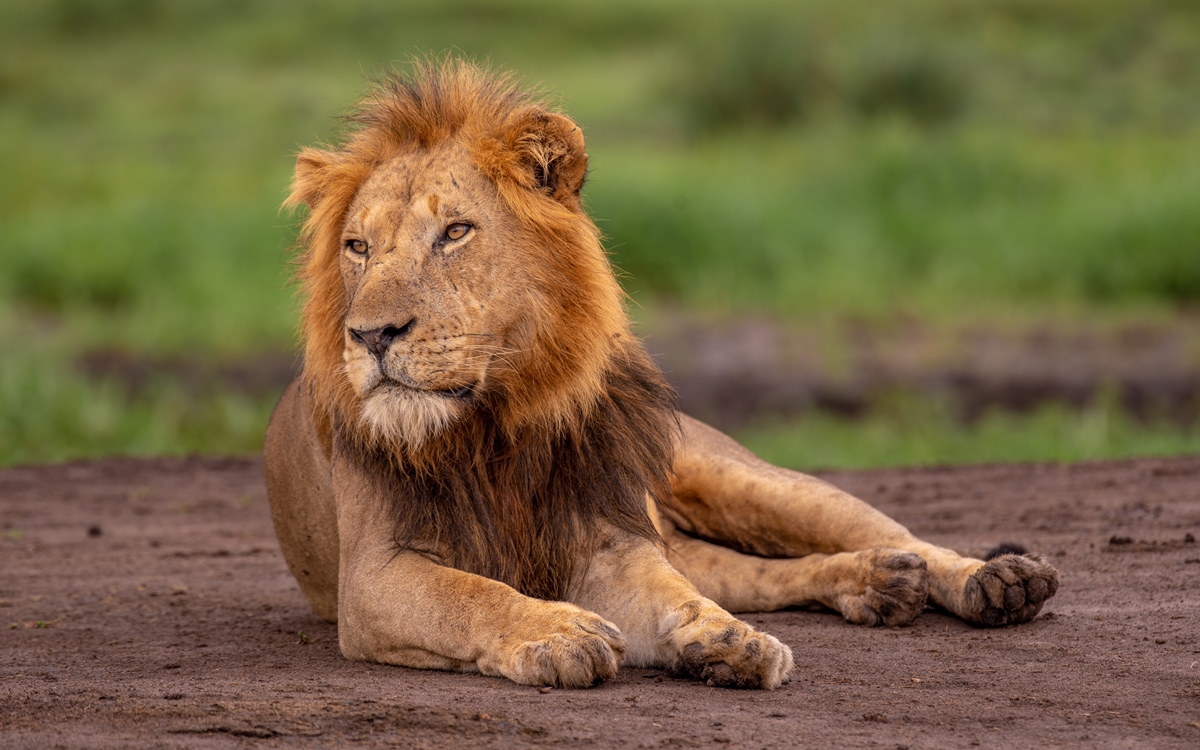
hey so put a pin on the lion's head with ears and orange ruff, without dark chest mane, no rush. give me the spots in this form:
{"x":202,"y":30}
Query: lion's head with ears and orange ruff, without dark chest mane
{"x":451,"y":262}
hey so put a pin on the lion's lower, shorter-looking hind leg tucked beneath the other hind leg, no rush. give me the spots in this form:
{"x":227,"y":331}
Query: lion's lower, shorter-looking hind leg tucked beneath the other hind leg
{"x":869,"y":587}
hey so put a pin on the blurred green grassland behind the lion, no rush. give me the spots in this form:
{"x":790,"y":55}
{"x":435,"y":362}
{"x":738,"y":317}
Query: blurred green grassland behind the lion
{"x":1009,"y":165}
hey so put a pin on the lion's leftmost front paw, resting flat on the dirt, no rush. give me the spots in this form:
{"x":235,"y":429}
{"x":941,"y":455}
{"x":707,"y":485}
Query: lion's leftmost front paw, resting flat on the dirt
{"x":575,"y":652}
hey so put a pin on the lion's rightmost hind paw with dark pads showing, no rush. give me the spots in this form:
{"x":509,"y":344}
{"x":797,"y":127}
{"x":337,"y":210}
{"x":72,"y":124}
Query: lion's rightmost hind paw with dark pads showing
{"x":1009,"y":591}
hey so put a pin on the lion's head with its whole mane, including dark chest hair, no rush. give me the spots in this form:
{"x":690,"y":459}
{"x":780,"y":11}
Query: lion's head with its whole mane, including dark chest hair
{"x":465,"y":335}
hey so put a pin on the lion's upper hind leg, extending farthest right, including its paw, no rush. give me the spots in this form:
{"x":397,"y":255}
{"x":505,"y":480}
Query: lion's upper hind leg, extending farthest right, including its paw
{"x":724,"y":493}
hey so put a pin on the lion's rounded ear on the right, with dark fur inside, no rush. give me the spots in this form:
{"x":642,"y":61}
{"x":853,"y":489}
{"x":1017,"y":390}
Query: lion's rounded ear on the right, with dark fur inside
{"x":553,"y":152}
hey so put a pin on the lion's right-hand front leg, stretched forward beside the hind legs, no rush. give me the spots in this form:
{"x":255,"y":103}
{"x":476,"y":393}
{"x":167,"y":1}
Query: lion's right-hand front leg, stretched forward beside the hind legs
{"x":669,"y":623}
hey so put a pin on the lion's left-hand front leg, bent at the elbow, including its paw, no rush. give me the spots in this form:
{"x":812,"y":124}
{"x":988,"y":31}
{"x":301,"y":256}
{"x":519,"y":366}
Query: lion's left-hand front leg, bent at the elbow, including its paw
{"x":401,"y":608}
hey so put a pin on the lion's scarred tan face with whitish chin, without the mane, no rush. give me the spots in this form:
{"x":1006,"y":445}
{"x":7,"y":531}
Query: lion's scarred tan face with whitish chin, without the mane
{"x":433,"y":267}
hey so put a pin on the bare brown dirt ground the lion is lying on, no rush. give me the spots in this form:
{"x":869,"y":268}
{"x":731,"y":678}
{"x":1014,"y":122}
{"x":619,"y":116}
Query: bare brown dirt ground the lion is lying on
{"x":146,"y":604}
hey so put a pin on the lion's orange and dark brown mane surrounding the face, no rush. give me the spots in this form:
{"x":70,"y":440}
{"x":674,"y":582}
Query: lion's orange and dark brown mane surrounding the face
{"x":581,"y":429}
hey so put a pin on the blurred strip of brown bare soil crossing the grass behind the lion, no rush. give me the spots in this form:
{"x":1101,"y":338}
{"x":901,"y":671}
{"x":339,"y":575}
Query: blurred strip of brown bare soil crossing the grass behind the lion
{"x":733,"y":373}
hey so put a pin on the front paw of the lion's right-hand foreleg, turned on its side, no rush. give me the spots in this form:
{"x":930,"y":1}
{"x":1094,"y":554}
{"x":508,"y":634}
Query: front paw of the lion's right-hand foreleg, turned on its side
{"x":724,"y":652}
